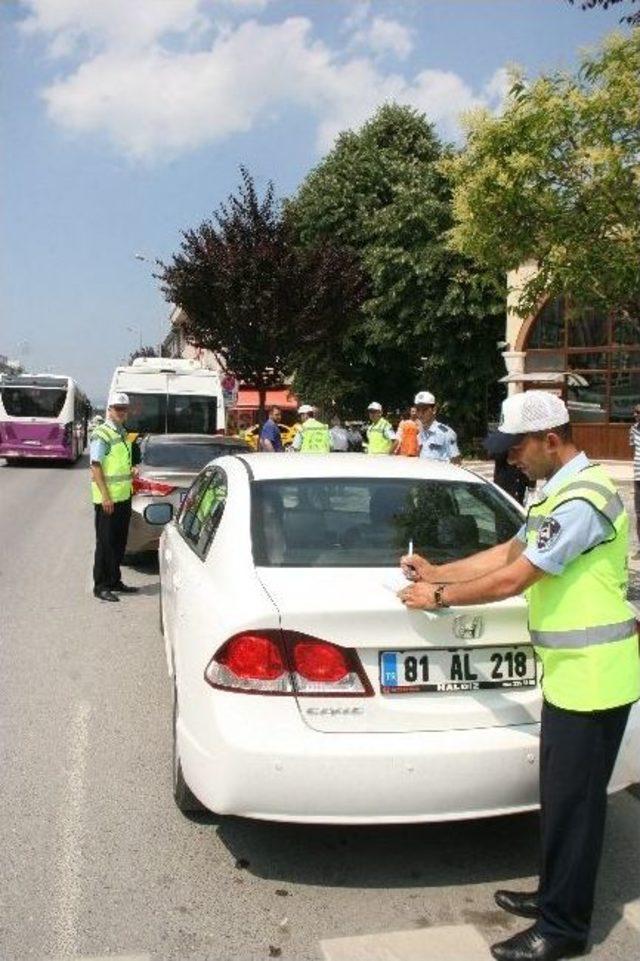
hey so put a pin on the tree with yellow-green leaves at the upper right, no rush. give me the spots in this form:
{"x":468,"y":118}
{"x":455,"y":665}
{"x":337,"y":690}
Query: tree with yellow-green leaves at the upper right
{"x":556,"y":179}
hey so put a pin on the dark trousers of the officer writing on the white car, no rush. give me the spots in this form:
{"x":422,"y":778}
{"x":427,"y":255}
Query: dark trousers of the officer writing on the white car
{"x":577,"y":753}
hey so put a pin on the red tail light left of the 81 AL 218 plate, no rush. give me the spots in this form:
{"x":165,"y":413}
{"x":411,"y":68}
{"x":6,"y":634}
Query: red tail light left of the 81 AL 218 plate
{"x":276,"y":662}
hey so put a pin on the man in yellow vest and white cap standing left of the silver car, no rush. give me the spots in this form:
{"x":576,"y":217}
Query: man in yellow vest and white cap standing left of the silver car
{"x":111,"y":489}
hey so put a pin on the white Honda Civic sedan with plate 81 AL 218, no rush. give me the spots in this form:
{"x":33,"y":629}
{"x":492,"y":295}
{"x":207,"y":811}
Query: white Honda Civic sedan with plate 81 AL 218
{"x":303,"y":689}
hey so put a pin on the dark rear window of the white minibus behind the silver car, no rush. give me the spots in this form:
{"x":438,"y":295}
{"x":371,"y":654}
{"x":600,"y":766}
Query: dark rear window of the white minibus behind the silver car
{"x":172,"y":414}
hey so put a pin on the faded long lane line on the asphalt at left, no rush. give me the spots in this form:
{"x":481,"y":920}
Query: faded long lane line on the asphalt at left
{"x":71,"y":830}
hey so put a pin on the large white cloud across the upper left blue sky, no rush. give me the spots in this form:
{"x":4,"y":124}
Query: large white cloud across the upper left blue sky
{"x":159,"y":78}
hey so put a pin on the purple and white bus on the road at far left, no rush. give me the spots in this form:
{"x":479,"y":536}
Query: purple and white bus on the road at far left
{"x":42,"y":416}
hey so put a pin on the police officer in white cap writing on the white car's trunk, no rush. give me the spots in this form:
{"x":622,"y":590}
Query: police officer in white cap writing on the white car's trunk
{"x":571,"y":558}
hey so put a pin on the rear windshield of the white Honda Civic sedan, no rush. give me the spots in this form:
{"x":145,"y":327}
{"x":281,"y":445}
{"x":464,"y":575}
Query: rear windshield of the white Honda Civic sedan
{"x":369,"y":523}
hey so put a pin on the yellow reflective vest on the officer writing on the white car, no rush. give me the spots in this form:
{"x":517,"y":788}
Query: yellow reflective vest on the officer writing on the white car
{"x":583,"y":630}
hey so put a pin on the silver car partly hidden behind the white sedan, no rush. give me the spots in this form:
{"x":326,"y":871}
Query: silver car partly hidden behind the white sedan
{"x":168,"y":465}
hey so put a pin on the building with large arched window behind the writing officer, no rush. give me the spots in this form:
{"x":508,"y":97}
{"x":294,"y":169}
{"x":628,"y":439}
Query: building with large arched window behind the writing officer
{"x":590,"y":357}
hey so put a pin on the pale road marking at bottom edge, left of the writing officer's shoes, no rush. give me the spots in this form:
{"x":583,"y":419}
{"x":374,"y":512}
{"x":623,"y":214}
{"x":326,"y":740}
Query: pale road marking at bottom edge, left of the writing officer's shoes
{"x":443,"y":943}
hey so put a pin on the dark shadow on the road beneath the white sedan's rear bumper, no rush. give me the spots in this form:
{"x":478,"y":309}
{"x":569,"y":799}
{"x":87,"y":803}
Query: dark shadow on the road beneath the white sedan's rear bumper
{"x":419,"y":855}
